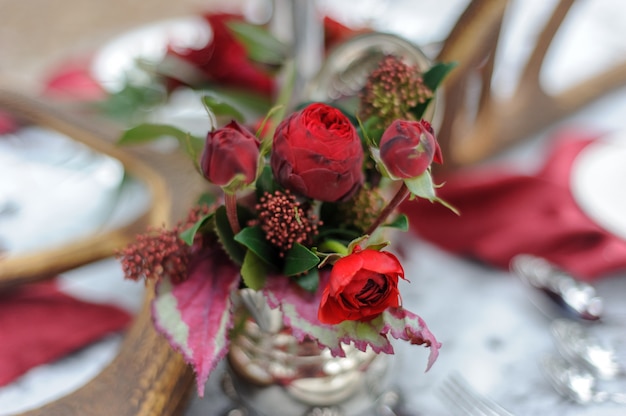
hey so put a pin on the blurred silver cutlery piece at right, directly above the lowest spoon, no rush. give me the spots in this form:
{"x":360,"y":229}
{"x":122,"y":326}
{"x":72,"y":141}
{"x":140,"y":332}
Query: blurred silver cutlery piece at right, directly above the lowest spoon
{"x":577,"y":345}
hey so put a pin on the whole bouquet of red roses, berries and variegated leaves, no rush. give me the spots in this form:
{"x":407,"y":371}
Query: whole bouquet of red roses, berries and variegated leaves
{"x":306,"y":195}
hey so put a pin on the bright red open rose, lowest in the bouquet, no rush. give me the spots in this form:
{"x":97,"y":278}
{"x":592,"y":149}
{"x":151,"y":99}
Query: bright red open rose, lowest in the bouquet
{"x":361,"y":286}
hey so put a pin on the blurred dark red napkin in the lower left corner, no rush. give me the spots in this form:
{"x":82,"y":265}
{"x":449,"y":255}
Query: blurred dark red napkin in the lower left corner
{"x":39,"y":324}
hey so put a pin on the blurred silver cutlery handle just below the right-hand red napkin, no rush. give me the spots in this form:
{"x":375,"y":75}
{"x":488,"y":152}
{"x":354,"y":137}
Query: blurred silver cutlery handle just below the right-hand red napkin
{"x":557,"y":293}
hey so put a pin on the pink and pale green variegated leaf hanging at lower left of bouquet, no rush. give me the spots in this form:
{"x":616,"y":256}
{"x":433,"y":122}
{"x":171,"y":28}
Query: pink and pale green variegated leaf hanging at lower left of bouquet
{"x":196,"y":315}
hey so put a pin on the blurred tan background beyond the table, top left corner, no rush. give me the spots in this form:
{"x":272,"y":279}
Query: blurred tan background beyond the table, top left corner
{"x":35,"y":34}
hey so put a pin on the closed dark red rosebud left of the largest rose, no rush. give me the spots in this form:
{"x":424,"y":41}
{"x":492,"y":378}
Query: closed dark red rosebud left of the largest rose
{"x":228,"y":152}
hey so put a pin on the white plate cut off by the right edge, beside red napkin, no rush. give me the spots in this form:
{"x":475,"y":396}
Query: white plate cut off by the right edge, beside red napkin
{"x":598,"y":182}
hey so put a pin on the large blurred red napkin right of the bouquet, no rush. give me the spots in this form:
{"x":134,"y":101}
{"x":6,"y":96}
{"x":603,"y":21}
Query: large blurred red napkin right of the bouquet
{"x":504,"y":213}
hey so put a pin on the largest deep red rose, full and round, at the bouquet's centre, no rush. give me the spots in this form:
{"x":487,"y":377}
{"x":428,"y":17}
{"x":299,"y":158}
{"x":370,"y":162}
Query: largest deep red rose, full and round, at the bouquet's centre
{"x":317,"y":153}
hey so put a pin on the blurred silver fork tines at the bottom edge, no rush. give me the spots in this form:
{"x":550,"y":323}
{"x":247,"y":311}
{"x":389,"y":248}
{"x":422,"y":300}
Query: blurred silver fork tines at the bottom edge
{"x":462,"y":398}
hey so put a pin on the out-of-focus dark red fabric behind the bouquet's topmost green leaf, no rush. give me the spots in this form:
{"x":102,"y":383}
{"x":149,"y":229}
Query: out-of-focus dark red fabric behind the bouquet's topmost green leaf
{"x":224,"y":59}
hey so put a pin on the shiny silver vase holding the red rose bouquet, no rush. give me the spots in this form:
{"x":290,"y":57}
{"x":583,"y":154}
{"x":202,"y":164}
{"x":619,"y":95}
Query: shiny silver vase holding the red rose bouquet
{"x":271,"y":373}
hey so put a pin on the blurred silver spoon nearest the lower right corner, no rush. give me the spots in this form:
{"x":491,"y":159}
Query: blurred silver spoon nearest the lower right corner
{"x":577,"y":383}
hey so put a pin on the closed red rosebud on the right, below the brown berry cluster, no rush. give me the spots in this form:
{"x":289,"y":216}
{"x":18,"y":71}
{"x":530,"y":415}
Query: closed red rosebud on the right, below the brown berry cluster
{"x":407,"y":148}
